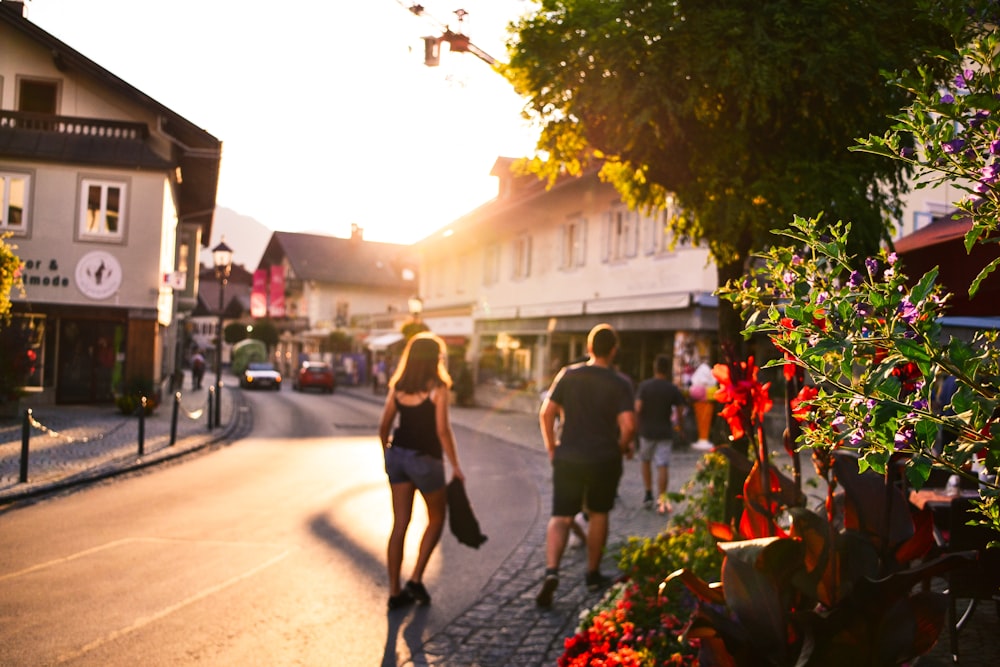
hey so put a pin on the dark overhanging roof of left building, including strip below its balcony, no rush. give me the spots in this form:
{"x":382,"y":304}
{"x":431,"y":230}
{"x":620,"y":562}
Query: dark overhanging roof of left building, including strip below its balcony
{"x":197,"y":152}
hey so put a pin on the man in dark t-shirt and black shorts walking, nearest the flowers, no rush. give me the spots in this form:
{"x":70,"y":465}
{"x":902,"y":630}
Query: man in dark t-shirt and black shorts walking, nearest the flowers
{"x":596,"y":408}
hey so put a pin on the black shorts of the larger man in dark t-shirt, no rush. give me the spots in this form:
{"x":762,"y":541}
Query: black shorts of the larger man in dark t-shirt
{"x":584,"y":486}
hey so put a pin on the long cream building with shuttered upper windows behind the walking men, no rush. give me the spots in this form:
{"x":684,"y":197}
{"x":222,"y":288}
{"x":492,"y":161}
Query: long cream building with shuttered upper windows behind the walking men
{"x":521,"y":281}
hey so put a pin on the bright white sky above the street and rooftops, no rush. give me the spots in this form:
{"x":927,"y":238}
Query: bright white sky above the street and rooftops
{"x":326,"y":111}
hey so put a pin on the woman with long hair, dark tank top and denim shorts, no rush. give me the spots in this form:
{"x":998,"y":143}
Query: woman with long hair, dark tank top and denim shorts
{"x":414,"y":448}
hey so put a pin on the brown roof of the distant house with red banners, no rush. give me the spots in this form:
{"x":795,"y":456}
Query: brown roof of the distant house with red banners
{"x":340,"y":261}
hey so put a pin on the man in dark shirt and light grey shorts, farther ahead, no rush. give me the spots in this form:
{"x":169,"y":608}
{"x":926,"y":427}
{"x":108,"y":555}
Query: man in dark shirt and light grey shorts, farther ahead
{"x":659,"y":408}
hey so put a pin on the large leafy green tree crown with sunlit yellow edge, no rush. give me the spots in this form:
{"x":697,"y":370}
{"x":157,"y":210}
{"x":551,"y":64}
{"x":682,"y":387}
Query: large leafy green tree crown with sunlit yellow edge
{"x":741,"y":110}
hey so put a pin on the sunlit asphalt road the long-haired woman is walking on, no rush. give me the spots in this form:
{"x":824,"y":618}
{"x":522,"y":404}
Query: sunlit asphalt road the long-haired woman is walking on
{"x":268,"y":551}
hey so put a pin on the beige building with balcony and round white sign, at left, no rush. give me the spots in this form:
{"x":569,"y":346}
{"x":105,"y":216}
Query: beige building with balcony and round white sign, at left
{"x":107,"y":195}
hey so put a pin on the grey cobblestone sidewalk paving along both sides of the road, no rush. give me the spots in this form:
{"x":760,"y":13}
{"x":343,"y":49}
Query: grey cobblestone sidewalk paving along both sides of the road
{"x":74,"y":445}
